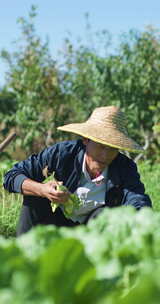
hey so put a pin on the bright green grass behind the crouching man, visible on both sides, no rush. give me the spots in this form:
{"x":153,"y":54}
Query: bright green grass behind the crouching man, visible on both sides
{"x":11,"y":203}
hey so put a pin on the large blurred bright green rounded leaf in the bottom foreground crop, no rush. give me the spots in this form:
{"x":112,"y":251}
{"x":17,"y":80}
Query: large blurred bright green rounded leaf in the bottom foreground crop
{"x":64,"y":270}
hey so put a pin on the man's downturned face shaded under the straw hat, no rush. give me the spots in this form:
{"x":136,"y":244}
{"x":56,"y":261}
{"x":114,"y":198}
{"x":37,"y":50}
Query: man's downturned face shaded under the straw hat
{"x":98,"y":156}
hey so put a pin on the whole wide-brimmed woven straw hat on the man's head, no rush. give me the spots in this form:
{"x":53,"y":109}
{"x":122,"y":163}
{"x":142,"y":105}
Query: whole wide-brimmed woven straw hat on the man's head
{"x":106,"y":125}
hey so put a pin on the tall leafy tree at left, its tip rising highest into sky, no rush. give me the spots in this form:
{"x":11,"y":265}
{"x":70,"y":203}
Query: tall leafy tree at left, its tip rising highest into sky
{"x":34,"y":80}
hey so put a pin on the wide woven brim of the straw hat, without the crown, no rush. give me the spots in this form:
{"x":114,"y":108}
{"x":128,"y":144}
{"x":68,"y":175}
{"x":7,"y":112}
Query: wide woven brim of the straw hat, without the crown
{"x":106,"y":136}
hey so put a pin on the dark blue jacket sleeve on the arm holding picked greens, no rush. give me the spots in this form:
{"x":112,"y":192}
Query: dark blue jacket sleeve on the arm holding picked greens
{"x":31,"y":168}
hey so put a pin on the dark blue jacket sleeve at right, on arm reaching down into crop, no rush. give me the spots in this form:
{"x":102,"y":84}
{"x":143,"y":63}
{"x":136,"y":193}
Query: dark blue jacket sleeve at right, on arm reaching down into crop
{"x":134,"y":190}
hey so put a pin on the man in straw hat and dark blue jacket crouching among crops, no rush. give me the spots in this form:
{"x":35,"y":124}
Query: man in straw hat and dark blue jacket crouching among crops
{"x":91,"y":167}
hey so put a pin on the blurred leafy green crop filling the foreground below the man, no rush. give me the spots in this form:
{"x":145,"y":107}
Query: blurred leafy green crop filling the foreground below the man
{"x":115,"y":260}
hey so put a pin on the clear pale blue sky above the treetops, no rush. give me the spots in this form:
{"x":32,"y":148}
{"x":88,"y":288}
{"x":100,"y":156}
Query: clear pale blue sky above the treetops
{"x":56,"y":18}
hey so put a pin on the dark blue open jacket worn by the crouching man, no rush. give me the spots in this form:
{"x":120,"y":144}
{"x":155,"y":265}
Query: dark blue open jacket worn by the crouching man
{"x":123,"y":185}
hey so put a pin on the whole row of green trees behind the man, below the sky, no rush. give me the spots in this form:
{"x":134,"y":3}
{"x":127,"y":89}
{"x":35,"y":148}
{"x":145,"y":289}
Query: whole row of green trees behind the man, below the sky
{"x":49,"y":94}
